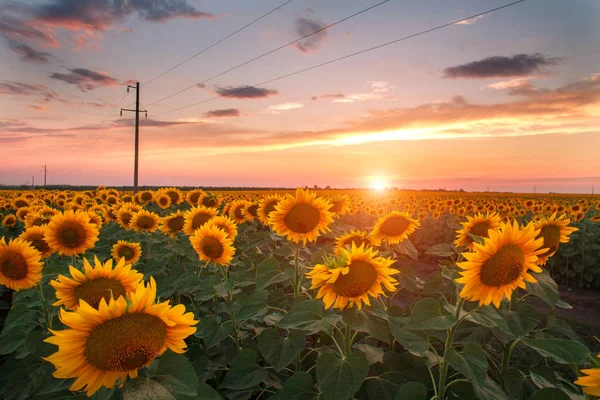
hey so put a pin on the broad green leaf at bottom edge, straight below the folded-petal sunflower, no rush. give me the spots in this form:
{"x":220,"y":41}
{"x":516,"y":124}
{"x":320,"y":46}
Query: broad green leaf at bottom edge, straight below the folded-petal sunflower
{"x":340,"y":378}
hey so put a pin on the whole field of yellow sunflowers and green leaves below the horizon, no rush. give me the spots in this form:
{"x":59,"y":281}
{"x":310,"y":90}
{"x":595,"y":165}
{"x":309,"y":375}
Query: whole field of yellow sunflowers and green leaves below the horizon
{"x":331,"y":295}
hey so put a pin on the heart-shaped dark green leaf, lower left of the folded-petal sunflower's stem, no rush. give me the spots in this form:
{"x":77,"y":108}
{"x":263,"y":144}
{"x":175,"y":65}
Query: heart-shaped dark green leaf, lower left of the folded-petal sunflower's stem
{"x":280,"y":352}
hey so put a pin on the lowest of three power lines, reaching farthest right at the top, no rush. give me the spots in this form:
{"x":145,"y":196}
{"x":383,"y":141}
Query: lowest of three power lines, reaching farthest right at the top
{"x":343,"y":57}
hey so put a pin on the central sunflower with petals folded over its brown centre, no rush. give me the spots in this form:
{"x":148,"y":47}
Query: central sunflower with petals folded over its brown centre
{"x":350,"y":278}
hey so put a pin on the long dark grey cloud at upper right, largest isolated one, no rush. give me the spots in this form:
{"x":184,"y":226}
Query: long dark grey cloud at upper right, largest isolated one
{"x":501,"y":66}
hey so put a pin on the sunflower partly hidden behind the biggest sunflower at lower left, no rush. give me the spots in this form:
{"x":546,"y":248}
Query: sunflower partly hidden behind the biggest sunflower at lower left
{"x":101,"y":281}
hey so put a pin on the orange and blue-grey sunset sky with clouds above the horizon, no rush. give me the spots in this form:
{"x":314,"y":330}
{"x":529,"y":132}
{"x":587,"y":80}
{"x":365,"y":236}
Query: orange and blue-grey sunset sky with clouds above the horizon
{"x":508,"y":100}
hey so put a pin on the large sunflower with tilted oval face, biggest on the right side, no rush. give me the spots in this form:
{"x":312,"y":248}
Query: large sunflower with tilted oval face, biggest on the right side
{"x":500,"y":265}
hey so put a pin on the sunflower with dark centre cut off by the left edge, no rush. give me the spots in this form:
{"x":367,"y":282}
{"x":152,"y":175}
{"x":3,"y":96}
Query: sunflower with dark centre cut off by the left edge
{"x":20,"y":265}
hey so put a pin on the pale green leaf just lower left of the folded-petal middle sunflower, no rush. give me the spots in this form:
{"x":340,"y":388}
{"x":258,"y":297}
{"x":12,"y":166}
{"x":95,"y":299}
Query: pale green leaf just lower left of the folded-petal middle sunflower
{"x":309,"y":316}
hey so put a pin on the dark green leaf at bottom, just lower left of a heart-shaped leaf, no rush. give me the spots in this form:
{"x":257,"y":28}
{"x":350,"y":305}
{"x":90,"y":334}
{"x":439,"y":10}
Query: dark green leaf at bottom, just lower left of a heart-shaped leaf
{"x":245,"y":372}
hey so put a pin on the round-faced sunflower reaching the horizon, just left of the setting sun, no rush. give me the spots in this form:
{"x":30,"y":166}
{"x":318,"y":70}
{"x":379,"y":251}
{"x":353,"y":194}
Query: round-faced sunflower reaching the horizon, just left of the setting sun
{"x":301,"y":218}
